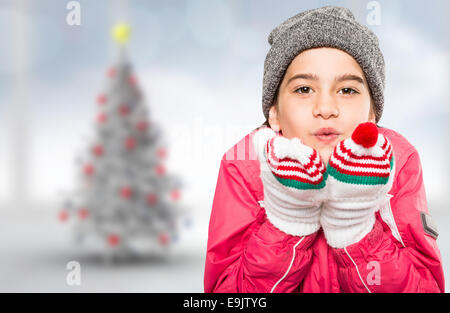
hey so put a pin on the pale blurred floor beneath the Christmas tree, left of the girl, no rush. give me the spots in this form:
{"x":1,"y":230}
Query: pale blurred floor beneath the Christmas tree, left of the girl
{"x":35,"y":251}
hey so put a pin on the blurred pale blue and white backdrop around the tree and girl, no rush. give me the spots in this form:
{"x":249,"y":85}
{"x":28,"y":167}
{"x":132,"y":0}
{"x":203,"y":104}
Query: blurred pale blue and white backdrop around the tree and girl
{"x":199,"y":65}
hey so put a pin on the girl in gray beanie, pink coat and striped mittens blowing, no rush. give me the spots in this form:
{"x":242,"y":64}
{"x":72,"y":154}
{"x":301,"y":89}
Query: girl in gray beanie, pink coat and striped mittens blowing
{"x":320,"y":198}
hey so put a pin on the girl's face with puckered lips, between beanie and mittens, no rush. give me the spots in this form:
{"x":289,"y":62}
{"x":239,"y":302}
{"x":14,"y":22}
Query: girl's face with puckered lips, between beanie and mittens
{"x":320,"y":99}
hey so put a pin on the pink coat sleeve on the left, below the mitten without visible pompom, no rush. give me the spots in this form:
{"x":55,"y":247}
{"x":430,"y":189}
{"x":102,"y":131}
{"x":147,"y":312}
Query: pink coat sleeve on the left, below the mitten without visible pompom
{"x":245,"y":252}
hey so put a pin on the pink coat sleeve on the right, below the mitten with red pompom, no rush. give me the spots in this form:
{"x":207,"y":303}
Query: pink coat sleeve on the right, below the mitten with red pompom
{"x":407,"y":262}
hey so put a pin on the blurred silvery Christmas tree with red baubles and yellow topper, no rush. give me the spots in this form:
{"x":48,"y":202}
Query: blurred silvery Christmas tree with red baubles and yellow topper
{"x":127,"y":204}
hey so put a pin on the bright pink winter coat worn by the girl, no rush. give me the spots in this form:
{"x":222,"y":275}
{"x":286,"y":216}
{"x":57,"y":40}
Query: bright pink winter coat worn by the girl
{"x":246,"y":253}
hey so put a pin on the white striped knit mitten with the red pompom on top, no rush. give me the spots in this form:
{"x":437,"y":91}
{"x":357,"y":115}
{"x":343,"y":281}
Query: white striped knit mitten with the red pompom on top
{"x":361,"y":171}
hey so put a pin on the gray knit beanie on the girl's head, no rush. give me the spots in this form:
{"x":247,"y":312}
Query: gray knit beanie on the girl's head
{"x":328,"y":26}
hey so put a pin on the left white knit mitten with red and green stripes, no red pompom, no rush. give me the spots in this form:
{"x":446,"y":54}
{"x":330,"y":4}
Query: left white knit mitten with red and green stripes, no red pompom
{"x":293,"y":176}
